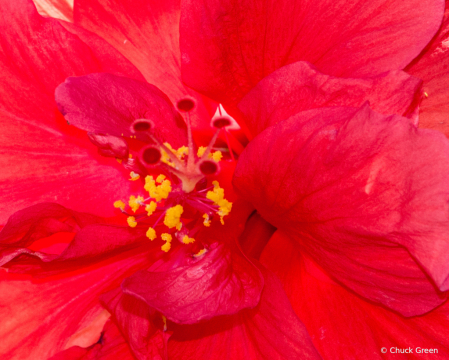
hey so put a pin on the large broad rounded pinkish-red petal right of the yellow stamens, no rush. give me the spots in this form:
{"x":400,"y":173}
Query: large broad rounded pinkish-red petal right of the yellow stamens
{"x":354,"y":188}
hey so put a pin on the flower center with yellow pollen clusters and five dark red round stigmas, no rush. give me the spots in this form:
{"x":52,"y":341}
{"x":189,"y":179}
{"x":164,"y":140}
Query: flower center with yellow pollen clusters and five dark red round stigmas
{"x":183,"y":199}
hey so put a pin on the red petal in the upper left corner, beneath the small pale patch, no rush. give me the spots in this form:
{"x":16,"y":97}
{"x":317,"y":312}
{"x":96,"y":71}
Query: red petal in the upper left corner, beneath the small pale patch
{"x":31,"y":46}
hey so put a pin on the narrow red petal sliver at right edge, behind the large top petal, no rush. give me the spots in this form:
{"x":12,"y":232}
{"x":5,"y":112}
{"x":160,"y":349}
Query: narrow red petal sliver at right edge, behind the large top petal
{"x":432,"y":67}
